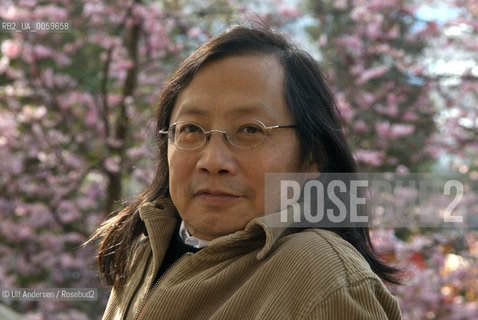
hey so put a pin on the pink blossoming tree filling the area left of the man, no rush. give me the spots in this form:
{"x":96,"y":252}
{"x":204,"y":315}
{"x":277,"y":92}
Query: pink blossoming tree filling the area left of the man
{"x":74,"y":114}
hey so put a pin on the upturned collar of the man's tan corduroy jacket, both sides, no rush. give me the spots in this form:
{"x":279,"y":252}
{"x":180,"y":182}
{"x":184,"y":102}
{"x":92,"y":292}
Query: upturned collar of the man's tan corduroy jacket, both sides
{"x":160,"y":217}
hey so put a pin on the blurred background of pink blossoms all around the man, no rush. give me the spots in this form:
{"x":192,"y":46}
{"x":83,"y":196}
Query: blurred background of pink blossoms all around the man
{"x":76,"y":139}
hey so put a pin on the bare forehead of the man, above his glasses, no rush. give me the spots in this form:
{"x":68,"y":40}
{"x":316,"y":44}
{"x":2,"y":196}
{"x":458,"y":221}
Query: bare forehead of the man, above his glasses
{"x":233,"y":87}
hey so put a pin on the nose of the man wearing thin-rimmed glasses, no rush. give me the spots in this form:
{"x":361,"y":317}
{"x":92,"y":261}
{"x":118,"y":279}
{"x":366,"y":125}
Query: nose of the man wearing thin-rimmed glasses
{"x":216,"y":156}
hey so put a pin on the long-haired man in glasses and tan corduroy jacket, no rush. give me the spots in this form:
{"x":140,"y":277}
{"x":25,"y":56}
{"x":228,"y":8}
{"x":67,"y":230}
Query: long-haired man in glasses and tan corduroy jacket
{"x":195,"y":244}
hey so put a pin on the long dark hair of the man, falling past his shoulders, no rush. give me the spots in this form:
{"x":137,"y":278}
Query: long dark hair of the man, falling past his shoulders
{"x":319,"y":126}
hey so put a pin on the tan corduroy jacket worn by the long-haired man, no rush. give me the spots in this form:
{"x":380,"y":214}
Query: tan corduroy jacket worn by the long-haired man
{"x":256,"y":273}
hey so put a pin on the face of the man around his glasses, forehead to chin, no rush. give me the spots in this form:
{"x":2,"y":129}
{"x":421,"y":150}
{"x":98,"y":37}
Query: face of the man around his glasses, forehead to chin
{"x":218,"y":188}
